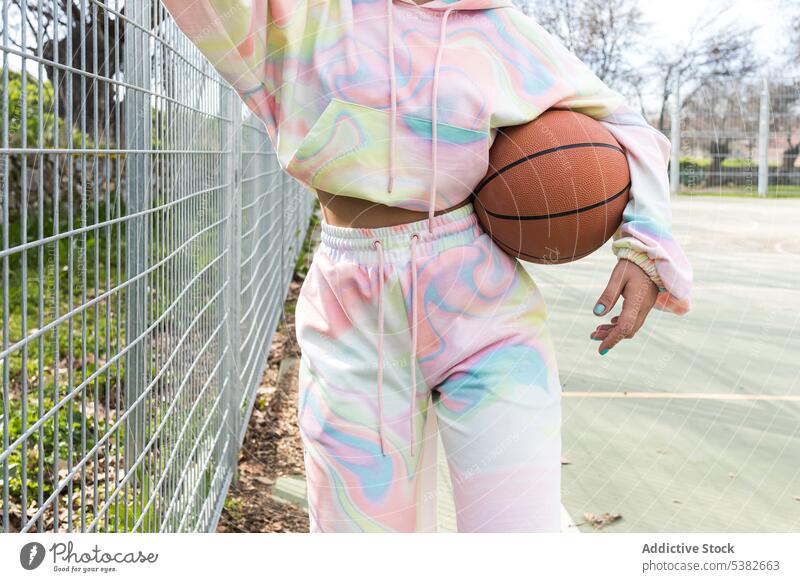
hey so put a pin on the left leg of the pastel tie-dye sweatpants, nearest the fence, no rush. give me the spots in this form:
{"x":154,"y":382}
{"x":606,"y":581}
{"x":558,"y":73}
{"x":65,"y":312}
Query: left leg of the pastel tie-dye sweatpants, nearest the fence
{"x":360,"y":471}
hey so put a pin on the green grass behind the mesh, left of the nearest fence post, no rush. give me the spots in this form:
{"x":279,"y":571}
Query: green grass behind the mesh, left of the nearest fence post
{"x":46,"y":283}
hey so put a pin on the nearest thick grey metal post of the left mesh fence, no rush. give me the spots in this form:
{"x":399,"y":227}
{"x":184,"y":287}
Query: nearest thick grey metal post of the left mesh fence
{"x":137,"y":175}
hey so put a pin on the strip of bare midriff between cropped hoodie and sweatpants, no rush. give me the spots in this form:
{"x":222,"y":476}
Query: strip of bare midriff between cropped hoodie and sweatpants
{"x":357,"y":213}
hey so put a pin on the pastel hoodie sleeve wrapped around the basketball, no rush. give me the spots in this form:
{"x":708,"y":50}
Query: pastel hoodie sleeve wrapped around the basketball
{"x":553,"y":77}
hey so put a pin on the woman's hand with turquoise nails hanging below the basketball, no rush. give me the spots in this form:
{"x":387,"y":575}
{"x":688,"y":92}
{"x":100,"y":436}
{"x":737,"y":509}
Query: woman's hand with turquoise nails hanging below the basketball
{"x":639,"y":293}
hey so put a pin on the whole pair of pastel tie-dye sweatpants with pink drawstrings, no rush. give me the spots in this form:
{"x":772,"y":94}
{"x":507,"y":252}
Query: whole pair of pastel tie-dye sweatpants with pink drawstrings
{"x":483,"y":374}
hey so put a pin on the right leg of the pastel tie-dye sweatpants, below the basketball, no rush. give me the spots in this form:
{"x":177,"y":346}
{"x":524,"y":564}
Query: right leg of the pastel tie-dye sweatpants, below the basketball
{"x":487,"y":353}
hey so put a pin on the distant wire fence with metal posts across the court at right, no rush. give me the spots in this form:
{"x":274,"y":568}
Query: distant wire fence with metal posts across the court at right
{"x":735,"y":135}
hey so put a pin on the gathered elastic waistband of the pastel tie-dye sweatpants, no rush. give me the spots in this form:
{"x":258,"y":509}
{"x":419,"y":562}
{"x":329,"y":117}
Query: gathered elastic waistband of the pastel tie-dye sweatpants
{"x":454,"y":228}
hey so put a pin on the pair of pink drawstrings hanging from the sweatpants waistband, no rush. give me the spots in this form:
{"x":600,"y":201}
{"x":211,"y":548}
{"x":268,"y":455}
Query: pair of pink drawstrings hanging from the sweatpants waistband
{"x":413,"y":397}
